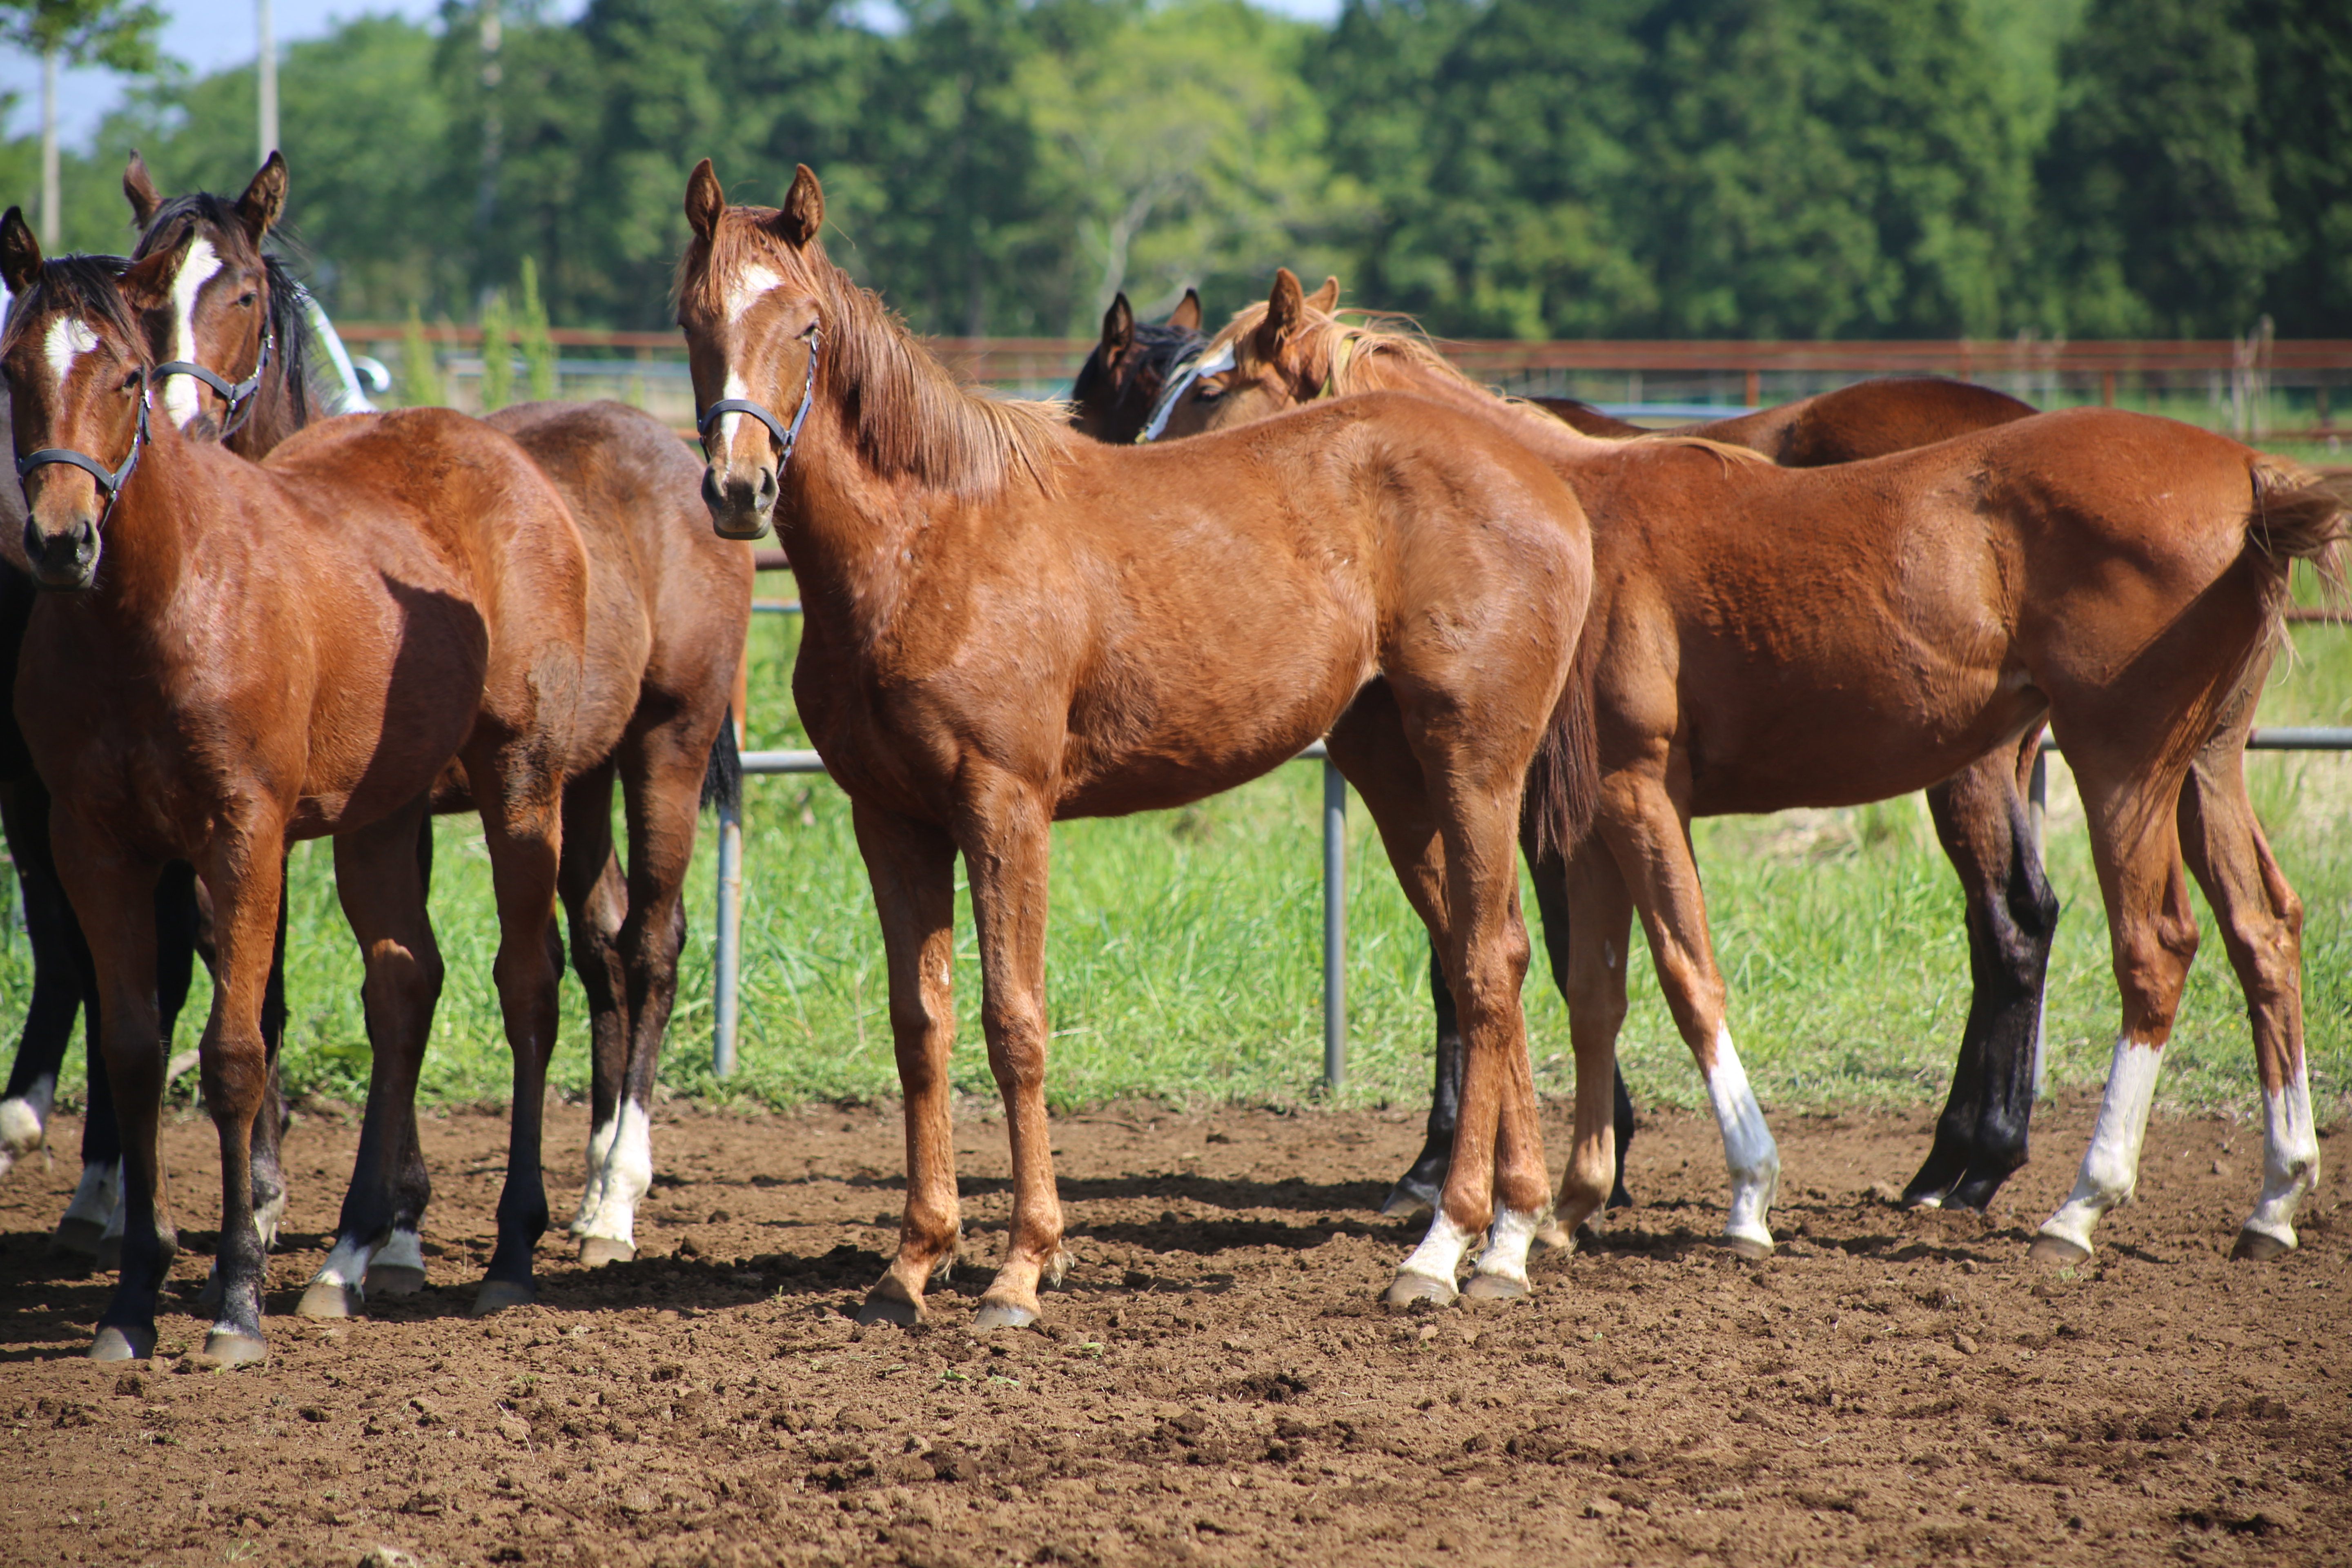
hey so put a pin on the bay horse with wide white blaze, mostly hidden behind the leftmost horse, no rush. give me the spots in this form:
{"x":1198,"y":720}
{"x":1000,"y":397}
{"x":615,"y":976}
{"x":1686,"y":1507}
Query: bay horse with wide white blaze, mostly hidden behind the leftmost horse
{"x":667,"y":619}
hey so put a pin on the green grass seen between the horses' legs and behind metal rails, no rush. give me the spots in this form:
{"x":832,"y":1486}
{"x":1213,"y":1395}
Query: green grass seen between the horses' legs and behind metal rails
{"x":1187,"y":951}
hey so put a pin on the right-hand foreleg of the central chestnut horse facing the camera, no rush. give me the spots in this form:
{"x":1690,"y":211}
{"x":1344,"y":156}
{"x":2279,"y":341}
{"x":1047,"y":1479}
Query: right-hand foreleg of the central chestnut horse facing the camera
{"x":1005,"y":833}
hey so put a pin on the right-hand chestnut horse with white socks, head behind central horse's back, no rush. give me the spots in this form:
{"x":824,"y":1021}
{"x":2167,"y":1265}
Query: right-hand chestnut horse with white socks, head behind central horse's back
{"x":2113,"y":575}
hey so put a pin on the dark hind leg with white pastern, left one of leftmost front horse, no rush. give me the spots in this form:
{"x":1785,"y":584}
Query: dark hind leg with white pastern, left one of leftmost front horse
{"x":377,"y":873}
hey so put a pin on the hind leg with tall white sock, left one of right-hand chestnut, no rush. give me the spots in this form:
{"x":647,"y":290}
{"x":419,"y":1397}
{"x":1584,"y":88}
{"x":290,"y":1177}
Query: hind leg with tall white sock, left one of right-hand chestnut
{"x":2153,"y":937}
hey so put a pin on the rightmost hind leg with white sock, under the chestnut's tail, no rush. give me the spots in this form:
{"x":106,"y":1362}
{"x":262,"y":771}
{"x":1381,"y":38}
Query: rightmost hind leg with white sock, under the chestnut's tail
{"x":2261,"y":923}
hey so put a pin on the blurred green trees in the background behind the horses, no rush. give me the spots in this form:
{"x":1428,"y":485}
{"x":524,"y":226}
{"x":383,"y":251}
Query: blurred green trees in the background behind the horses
{"x":1499,"y":168}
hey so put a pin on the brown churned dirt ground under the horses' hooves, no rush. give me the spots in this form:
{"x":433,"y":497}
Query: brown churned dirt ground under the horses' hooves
{"x":1217,"y":1383}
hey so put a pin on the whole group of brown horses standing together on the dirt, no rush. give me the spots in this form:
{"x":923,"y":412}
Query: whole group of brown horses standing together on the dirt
{"x":1521,"y":629}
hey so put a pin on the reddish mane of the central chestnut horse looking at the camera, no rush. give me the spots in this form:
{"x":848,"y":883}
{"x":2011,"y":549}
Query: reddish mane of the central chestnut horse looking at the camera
{"x":907,"y":415}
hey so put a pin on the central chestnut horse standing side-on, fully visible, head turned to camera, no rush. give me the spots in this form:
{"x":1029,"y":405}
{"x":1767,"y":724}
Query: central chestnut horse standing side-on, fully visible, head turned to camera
{"x":1010,"y":624}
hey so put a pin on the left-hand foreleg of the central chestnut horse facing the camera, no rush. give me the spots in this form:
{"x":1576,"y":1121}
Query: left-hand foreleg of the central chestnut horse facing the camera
{"x":914,"y":876}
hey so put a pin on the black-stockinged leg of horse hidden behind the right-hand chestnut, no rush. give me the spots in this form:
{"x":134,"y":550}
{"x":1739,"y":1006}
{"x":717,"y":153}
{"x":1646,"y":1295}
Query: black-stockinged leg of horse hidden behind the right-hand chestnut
{"x":2012,"y":918}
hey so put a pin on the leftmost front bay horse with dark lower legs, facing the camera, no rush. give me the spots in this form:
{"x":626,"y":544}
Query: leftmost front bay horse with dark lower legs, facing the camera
{"x":234,"y":657}
